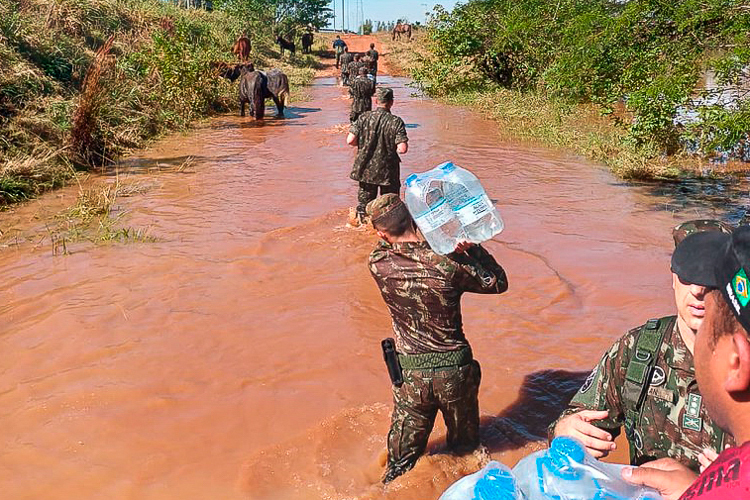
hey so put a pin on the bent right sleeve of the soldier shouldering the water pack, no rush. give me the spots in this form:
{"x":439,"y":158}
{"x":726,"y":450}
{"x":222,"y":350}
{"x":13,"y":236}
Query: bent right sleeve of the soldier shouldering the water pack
{"x":478,"y":271}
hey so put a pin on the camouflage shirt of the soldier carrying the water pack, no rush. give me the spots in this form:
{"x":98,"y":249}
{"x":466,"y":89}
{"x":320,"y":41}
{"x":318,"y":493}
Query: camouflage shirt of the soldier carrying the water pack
{"x":423,"y":292}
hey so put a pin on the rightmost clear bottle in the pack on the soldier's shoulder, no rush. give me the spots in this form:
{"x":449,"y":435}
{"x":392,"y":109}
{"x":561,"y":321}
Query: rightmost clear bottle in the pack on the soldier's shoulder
{"x":472,"y":206}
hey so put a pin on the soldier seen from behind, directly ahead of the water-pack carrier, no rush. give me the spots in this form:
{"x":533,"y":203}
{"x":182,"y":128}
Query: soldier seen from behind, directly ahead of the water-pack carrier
{"x":379,"y":137}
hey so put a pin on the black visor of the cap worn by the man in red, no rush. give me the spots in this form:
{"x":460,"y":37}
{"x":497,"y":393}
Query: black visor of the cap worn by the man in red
{"x":693,"y":259}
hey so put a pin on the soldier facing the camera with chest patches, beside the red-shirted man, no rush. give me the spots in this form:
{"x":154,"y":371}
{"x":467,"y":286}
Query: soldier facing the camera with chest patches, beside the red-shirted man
{"x":646,"y":381}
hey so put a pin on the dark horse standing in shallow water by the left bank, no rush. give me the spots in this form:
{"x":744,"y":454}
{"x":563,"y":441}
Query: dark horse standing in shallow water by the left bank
{"x":256,"y":86}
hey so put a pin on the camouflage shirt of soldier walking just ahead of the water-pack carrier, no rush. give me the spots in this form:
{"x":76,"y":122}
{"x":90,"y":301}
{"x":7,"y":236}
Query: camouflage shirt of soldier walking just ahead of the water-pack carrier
{"x":377,"y":162}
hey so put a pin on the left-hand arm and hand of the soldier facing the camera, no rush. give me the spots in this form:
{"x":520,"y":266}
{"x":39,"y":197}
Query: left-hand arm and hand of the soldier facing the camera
{"x":595,"y":414}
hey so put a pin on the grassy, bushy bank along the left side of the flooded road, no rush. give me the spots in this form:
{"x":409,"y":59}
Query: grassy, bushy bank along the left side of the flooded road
{"x":82,"y":82}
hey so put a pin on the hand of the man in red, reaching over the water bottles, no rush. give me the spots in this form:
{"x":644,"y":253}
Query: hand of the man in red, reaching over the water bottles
{"x":666,"y":475}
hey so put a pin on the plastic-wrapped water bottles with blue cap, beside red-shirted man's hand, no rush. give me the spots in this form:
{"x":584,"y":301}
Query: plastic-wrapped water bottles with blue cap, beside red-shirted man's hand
{"x":567,"y":472}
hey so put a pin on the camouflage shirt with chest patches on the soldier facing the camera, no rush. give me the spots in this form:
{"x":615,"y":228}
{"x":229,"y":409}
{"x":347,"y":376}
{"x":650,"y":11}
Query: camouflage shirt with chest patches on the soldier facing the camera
{"x":674,"y":422}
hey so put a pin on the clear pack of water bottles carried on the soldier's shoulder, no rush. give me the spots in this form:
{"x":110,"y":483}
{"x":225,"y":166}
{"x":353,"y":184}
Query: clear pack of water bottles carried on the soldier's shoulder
{"x":449,"y":205}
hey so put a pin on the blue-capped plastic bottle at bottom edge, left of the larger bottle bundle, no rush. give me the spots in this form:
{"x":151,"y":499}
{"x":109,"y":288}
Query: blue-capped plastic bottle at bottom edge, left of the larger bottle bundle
{"x":493,"y":482}
